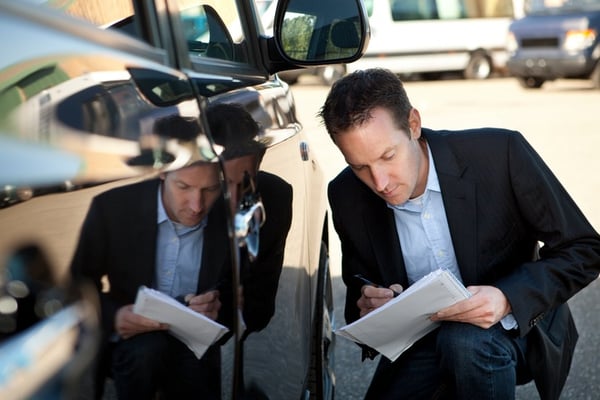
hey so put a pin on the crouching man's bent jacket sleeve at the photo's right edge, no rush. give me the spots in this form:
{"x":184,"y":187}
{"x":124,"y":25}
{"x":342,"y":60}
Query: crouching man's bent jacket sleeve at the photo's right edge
{"x":569,"y":258}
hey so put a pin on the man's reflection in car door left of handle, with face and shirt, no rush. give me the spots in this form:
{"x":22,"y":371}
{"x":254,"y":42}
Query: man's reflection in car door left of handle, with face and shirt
{"x":169,"y":234}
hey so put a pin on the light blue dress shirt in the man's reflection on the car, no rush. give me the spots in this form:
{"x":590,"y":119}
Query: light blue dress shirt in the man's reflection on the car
{"x":178,"y":254}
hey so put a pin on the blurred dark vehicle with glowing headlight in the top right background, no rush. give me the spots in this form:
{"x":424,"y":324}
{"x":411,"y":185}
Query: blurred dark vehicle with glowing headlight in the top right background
{"x":556,"y":40}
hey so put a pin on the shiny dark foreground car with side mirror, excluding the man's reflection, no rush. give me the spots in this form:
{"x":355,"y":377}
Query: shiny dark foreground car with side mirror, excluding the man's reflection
{"x":84,"y":91}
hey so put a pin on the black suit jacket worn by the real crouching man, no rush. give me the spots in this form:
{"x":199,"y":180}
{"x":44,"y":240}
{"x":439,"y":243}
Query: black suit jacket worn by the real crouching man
{"x":500,"y":200}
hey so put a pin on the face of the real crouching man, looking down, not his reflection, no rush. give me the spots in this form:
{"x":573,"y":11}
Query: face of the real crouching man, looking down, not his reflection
{"x":389,"y":161}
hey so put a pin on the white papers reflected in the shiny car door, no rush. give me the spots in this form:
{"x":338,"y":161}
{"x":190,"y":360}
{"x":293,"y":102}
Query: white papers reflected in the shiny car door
{"x":195,"y":330}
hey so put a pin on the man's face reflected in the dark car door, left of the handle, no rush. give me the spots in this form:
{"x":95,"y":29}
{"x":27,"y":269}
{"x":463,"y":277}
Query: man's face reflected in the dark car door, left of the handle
{"x":189,"y":193}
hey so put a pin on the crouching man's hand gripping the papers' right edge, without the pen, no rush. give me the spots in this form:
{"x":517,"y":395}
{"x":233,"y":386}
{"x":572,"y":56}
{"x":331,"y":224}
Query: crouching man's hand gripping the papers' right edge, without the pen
{"x":484,"y":308}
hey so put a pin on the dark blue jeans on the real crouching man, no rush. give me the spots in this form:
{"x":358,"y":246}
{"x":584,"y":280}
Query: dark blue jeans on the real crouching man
{"x":456,"y":361}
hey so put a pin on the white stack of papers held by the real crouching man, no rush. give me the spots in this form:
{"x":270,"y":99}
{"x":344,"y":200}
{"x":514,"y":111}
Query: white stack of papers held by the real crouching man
{"x":397,"y":325}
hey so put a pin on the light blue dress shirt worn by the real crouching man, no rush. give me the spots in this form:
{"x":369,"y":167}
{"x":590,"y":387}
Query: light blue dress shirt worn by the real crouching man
{"x":424,"y":235}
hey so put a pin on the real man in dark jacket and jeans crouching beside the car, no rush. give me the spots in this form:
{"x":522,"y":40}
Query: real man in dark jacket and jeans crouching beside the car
{"x":475,"y":202}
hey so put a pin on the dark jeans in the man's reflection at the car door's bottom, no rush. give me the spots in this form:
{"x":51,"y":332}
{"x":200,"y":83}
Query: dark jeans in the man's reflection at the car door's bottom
{"x":156,"y":363}
